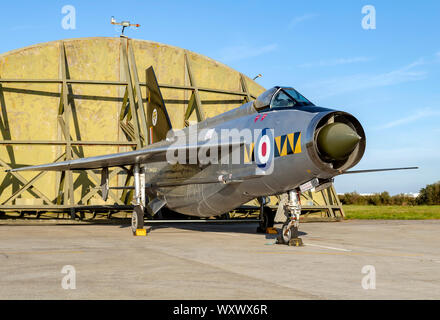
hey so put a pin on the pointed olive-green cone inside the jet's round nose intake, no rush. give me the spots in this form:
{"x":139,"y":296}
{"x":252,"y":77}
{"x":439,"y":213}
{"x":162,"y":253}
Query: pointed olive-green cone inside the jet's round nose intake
{"x":337,"y":140}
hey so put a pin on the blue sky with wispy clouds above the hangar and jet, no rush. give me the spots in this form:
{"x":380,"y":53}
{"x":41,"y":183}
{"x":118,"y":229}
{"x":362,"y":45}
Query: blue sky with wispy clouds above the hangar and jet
{"x":388,"y":77}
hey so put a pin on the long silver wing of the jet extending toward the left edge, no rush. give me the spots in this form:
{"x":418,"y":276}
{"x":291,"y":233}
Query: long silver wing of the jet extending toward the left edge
{"x":146,"y":155}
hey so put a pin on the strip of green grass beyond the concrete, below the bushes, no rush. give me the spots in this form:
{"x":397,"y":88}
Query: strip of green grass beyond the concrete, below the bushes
{"x":392,"y":212}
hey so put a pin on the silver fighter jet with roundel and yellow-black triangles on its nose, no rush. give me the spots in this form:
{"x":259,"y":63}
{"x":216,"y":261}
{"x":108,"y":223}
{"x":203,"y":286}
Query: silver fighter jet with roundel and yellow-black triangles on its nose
{"x":280,"y":143}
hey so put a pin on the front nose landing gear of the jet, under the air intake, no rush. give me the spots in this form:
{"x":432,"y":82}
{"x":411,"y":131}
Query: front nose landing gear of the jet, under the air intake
{"x":289,"y":232}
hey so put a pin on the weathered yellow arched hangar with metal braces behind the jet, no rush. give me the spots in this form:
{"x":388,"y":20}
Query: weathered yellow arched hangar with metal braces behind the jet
{"x":85,"y":97}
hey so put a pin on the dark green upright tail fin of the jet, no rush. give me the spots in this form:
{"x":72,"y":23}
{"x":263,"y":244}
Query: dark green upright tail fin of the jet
{"x":158,"y":121}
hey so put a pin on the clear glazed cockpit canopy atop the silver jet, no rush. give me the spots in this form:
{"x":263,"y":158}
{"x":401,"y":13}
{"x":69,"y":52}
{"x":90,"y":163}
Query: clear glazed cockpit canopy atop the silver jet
{"x":280,"y":98}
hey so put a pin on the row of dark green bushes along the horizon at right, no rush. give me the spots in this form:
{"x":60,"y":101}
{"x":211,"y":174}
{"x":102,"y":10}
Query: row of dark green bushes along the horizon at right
{"x":430,"y":195}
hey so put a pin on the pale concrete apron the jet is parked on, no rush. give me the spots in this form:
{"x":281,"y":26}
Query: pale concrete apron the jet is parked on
{"x":199,"y":261}
